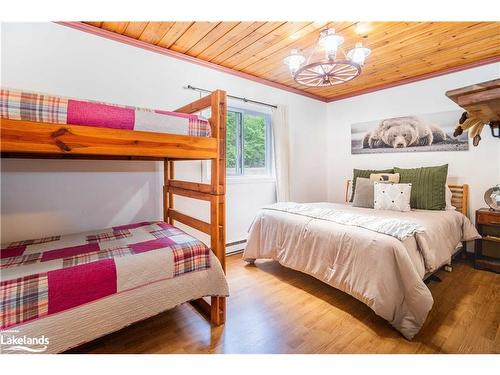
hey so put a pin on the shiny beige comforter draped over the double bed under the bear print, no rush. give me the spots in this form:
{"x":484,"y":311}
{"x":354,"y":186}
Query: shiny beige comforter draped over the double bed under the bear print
{"x":380,"y":270}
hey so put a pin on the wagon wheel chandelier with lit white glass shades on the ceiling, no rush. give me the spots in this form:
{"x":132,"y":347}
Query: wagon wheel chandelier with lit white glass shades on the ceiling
{"x":327,"y":71}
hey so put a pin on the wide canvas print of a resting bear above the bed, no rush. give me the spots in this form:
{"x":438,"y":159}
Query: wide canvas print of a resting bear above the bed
{"x":427,"y":132}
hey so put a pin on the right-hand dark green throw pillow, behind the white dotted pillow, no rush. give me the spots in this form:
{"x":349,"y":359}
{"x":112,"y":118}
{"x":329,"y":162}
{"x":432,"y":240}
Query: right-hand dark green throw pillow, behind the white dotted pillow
{"x":428,"y":186}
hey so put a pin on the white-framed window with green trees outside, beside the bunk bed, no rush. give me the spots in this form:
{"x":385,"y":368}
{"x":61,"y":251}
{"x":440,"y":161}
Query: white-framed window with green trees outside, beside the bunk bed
{"x":248,"y":143}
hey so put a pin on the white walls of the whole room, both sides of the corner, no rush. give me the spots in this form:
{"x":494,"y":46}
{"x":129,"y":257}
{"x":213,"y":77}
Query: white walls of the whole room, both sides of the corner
{"x":44,"y":197}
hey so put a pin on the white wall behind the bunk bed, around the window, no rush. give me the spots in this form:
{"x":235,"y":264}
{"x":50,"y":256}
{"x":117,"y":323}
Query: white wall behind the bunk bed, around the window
{"x":44,"y":197}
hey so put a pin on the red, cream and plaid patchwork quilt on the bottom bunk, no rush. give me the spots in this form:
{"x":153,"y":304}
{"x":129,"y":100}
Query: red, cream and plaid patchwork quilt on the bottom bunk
{"x":48,"y":275}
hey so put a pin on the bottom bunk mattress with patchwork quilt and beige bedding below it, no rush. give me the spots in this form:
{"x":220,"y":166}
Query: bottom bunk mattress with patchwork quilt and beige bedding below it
{"x":72,"y":289}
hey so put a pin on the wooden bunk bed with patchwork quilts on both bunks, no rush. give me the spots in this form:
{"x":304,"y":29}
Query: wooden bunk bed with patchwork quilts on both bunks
{"x":84,"y":134}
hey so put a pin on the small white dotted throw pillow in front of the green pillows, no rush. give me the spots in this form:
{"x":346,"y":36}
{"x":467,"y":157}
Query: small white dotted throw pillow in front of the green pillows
{"x":394,"y":197}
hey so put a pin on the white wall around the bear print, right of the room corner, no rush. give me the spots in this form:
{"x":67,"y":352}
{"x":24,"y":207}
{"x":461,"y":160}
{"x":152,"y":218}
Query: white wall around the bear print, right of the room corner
{"x":479,"y":167}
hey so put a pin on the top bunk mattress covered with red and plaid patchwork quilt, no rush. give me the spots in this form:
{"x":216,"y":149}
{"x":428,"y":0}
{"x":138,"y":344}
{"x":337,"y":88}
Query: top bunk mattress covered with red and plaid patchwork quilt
{"x":31,"y":106}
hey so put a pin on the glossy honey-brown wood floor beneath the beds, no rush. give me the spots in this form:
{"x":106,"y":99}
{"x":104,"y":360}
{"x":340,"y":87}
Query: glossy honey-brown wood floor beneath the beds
{"x":273,"y":309}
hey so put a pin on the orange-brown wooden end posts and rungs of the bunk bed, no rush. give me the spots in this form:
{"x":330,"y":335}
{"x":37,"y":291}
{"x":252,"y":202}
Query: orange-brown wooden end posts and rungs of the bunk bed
{"x":214,"y":193}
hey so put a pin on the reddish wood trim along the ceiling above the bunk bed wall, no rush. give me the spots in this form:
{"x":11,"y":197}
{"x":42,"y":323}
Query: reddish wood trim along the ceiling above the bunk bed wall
{"x":177,"y":55}
